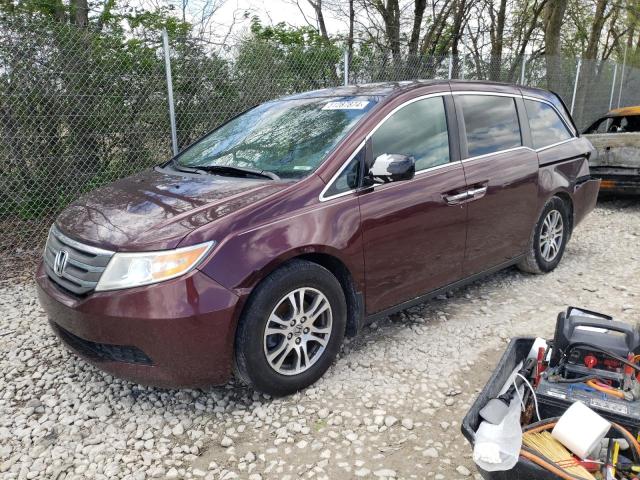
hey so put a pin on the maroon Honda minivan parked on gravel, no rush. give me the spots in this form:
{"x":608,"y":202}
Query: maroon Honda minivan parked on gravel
{"x":258,"y":248}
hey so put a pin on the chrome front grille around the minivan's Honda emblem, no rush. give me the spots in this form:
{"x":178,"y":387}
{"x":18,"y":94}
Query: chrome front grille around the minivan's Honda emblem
{"x":84,"y":264}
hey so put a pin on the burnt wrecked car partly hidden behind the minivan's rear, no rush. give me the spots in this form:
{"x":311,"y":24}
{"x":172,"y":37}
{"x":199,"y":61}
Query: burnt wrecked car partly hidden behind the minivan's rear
{"x":616,"y":136}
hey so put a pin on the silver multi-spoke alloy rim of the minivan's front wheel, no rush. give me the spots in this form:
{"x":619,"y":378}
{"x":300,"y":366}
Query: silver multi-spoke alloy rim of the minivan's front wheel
{"x":298,"y":331}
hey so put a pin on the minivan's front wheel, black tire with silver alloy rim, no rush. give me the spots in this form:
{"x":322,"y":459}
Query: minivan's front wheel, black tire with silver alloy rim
{"x":271,"y":306}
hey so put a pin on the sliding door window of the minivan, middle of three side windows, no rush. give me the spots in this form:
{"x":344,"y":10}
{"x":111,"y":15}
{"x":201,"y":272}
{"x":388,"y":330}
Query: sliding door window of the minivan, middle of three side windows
{"x":491,"y":123}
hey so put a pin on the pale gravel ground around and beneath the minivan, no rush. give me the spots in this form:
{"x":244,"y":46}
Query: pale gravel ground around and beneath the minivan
{"x":390,"y":407}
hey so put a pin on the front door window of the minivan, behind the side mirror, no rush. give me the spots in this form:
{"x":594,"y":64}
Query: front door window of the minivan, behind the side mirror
{"x":418,"y":130}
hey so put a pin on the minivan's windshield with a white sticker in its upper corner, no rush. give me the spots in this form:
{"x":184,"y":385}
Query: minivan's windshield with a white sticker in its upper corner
{"x":290,"y":138}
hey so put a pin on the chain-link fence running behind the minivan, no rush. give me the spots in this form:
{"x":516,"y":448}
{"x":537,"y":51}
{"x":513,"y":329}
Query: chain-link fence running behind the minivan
{"x":83,"y":107}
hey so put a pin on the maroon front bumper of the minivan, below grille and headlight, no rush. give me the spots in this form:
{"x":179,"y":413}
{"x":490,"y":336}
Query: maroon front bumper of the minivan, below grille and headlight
{"x":178,"y":333}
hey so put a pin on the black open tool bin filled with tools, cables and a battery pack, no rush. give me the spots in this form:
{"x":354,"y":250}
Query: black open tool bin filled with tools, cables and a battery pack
{"x":593,"y":364}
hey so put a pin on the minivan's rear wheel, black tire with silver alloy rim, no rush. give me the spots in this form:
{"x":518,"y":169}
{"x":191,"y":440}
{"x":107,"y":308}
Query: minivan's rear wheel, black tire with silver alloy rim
{"x":543,"y":256}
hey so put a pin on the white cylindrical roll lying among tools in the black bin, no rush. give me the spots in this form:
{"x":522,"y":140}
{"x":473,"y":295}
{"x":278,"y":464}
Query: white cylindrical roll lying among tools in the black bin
{"x":580,"y":429}
